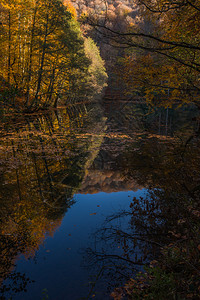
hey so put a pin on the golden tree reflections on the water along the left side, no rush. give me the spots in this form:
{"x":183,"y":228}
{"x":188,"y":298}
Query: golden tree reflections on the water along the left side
{"x":43,"y":164}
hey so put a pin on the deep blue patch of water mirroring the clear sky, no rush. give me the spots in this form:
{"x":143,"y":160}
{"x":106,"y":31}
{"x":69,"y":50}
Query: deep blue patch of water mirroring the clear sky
{"x":65,"y":251}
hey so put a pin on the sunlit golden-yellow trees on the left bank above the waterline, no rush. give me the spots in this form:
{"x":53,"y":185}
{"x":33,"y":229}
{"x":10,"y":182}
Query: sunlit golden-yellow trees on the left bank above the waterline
{"x":43,"y":55}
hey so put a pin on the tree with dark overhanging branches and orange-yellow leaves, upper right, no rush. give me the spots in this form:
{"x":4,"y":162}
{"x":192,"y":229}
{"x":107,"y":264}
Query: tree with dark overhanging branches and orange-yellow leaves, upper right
{"x":162,"y":49}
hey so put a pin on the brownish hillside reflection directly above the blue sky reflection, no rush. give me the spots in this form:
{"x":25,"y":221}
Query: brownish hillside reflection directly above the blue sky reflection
{"x":105,"y":173}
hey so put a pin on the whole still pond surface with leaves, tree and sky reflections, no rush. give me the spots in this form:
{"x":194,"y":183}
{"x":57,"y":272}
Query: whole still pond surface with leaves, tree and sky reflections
{"x":88,"y":194}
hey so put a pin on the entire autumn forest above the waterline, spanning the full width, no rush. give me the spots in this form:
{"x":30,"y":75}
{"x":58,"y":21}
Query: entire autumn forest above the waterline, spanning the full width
{"x":50,"y":52}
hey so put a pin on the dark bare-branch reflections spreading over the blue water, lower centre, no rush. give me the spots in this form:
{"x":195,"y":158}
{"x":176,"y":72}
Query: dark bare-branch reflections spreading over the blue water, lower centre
{"x":121,"y":249}
